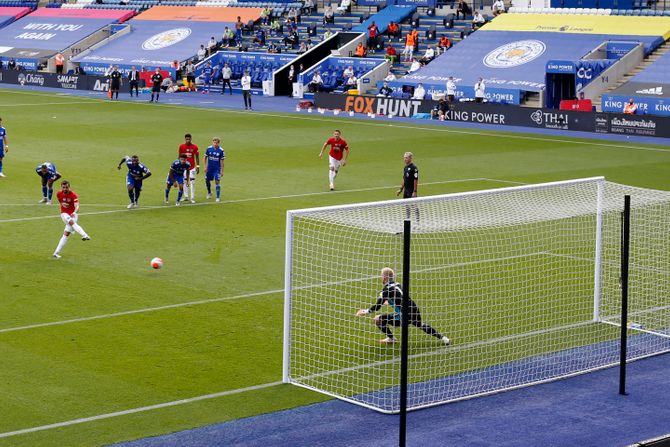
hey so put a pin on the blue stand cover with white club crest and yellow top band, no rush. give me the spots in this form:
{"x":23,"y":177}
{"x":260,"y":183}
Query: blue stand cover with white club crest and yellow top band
{"x":512,"y":51}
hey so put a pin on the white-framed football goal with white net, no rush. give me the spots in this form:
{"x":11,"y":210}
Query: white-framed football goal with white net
{"x":523,"y":280}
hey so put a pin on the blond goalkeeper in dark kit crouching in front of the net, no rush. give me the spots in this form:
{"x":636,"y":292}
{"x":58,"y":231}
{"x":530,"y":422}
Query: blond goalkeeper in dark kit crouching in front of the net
{"x":392,"y":295}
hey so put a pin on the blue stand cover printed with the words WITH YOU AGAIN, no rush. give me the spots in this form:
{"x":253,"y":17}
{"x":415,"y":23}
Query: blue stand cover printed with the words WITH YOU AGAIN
{"x":36,"y":37}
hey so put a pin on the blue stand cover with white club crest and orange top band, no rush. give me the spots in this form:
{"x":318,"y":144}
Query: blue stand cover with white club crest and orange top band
{"x":161,"y":35}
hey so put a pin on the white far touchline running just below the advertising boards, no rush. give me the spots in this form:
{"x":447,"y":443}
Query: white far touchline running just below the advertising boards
{"x":509,"y":134}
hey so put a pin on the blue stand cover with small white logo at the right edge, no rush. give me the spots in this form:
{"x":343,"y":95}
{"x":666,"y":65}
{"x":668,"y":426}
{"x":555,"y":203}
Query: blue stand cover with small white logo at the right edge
{"x":650,"y":90}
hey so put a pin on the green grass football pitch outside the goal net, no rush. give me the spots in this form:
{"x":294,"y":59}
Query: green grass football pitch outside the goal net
{"x":99,"y":348}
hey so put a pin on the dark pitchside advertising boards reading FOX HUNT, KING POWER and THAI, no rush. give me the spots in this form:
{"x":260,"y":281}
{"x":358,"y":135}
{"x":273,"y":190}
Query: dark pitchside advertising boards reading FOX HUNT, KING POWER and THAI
{"x":505,"y":115}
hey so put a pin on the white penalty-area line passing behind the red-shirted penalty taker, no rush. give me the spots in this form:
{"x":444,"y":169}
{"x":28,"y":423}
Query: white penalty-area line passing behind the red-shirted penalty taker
{"x":122,"y":208}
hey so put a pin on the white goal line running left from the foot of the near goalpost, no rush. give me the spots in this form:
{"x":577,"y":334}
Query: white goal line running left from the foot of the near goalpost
{"x":139,"y":409}
